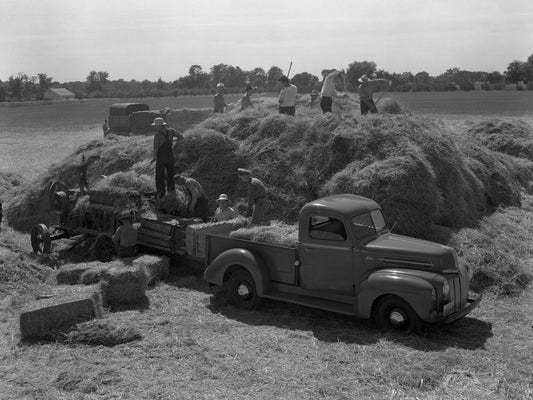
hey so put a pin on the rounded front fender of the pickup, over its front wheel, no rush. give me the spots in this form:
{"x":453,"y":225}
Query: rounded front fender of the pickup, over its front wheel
{"x":414,"y":287}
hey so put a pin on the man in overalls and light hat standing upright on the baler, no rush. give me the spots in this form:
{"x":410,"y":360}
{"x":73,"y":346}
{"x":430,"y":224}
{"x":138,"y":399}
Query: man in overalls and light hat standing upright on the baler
{"x":163,"y":157}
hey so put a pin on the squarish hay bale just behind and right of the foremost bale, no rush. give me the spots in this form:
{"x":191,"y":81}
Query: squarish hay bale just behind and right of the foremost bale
{"x":124,"y":287}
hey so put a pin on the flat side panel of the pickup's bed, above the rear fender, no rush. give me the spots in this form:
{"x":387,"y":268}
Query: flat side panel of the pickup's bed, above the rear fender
{"x":281,"y":260}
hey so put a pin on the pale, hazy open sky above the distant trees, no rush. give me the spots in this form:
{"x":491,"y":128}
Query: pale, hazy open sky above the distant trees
{"x":137,"y":39}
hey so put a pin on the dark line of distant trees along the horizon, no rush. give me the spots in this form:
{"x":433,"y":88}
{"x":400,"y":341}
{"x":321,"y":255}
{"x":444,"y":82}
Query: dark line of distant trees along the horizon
{"x":97,"y":84}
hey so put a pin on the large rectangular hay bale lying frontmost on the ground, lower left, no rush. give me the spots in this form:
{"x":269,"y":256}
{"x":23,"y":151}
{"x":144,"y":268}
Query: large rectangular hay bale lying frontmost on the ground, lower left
{"x":62,"y":307}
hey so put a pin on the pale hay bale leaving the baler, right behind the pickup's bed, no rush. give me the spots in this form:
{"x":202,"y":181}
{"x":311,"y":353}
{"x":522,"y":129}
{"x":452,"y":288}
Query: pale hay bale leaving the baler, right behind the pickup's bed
{"x":196,"y":234}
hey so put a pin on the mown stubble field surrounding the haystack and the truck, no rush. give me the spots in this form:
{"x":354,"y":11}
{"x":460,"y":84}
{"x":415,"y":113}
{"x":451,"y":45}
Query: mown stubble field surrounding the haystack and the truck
{"x":195,"y":346}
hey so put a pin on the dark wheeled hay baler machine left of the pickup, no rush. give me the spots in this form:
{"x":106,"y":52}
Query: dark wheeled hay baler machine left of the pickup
{"x":98,"y":217}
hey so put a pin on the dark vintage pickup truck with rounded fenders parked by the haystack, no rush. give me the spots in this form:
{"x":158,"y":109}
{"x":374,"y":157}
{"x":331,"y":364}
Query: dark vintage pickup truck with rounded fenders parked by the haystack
{"x":346,"y":261}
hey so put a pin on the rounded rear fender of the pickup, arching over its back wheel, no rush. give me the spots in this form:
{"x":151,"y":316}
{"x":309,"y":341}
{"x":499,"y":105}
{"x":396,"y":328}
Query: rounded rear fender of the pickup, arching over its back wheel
{"x":237,"y":257}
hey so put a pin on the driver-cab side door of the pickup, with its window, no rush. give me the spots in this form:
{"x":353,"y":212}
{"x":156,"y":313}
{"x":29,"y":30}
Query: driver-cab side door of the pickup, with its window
{"x":326,"y":257}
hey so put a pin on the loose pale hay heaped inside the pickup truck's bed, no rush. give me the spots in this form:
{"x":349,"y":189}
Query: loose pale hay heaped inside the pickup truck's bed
{"x":277,"y":233}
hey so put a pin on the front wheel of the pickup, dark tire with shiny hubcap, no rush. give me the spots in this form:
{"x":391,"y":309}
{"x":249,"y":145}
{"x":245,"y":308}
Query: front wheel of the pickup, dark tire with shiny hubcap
{"x":395,"y":314}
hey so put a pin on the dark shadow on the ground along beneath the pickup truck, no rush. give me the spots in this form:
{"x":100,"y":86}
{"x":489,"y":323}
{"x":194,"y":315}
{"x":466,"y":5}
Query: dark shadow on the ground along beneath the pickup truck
{"x":467,"y":333}
